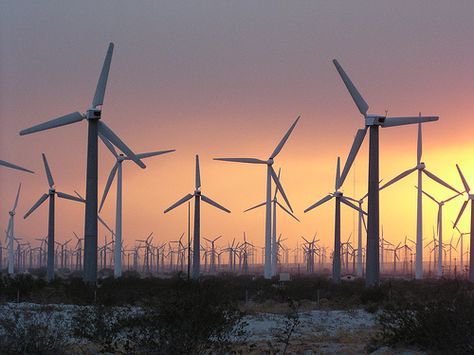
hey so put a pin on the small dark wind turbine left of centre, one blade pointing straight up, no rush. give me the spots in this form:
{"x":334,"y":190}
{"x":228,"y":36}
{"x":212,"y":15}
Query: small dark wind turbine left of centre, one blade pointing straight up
{"x":198,"y":196}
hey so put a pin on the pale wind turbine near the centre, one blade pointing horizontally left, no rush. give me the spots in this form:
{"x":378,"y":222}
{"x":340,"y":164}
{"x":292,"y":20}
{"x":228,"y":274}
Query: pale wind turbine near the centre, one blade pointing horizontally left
{"x":271,"y":175}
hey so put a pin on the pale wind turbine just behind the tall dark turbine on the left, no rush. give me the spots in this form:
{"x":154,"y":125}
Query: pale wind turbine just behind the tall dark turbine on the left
{"x":117,"y":170}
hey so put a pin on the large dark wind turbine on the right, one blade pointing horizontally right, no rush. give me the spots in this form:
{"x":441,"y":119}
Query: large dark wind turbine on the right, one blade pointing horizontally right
{"x":372,"y":123}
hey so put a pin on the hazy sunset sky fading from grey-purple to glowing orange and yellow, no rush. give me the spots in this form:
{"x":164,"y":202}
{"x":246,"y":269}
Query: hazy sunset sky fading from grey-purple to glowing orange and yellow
{"x":226,"y":79}
